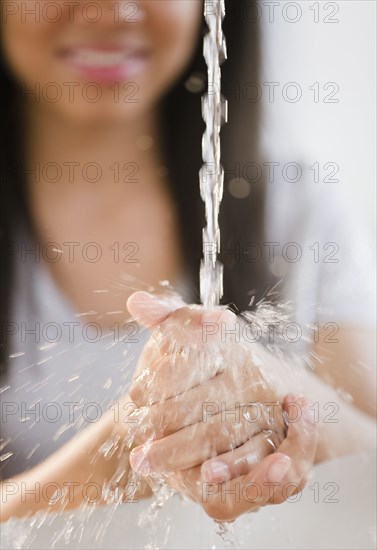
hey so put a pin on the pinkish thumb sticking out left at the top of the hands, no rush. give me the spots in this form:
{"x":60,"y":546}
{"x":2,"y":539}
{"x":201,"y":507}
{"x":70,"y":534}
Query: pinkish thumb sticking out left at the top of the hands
{"x":151,"y":309}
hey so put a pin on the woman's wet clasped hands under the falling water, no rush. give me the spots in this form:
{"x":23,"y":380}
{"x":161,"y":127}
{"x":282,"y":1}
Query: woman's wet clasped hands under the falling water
{"x":212,"y":414}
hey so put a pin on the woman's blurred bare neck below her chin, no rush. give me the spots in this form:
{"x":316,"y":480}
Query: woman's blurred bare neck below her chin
{"x":81,"y":153}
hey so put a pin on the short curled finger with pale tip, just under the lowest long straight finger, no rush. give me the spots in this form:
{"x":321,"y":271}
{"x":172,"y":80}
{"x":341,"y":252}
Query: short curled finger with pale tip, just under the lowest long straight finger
{"x":240,"y":461}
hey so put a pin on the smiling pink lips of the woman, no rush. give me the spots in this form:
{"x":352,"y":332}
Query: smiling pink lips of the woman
{"x":105,"y":62}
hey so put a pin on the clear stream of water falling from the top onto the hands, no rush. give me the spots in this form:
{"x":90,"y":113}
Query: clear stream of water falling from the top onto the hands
{"x":214,"y":110}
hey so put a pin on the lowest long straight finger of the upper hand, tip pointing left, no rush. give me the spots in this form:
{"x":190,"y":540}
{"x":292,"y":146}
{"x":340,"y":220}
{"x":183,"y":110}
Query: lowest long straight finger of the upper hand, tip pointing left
{"x":197,"y":443}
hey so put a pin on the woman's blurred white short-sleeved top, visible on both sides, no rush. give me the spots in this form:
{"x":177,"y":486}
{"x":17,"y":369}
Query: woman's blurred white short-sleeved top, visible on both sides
{"x":57,"y":384}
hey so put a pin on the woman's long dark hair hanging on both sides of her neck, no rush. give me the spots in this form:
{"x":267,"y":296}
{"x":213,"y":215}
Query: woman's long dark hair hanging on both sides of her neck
{"x":241,"y":220}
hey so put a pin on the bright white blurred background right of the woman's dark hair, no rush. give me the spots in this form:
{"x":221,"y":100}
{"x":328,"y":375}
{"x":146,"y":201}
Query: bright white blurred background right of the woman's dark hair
{"x":328,"y":51}
